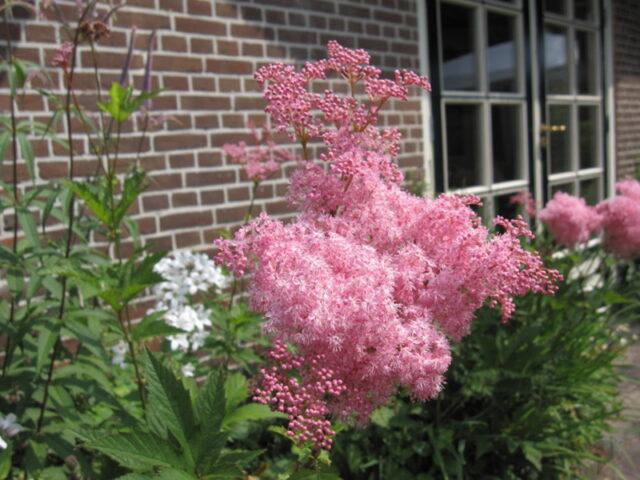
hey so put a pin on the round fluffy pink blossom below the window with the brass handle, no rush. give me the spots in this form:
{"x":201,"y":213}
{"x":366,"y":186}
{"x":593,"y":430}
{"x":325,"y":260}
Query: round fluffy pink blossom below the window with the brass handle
{"x":569,"y":219}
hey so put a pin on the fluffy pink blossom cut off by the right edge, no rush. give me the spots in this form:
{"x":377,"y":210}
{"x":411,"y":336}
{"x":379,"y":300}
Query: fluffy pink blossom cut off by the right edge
{"x":621,"y":220}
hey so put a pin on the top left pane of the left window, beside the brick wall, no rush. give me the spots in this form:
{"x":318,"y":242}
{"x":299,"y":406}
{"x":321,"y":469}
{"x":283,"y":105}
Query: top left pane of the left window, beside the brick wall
{"x":459,"y":56}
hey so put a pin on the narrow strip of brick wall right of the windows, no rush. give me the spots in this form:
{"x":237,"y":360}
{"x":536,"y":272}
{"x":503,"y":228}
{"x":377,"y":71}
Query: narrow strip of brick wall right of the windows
{"x":626,"y":44}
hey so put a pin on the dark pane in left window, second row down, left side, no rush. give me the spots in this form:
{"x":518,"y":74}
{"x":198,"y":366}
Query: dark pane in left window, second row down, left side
{"x":464,"y":145}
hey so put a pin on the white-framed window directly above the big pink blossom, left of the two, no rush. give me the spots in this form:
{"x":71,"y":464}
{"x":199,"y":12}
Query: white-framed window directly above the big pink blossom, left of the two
{"x":482,"y":100}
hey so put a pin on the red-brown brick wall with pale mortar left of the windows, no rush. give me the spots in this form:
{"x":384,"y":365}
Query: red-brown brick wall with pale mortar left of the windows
{"x":206,"y":53}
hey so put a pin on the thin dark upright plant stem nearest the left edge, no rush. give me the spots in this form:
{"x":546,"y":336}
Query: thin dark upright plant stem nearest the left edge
{"x":14,"y":181}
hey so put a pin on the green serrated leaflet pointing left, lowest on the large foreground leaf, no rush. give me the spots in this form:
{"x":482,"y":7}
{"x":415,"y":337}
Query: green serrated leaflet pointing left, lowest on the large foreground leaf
{"x":137,"y":450}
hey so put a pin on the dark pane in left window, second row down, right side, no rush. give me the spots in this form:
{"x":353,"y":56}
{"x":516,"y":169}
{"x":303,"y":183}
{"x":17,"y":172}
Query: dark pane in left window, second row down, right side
{"x":505,"y":130}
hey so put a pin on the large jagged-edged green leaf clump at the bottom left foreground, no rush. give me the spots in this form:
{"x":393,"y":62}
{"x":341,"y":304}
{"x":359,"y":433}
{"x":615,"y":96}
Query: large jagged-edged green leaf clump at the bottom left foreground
{"x":185,"y":433}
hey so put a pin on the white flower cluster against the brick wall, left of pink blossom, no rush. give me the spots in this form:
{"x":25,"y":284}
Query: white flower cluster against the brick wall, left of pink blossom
{"x":186,"y":274}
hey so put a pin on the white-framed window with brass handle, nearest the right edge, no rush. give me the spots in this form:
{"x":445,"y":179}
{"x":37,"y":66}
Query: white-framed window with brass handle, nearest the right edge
{"x":573,"y":98}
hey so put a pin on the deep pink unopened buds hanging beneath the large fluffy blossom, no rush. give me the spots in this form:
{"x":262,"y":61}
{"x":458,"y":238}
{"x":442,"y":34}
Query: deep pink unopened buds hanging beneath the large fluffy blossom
{"x":302,"y":398}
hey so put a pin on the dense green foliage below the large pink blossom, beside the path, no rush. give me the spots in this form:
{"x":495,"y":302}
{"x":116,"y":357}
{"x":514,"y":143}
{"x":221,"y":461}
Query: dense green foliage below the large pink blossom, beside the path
{"x":529,"y":399}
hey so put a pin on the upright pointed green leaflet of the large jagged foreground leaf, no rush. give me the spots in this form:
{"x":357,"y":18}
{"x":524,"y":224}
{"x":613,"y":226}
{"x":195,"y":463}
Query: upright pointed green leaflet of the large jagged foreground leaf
{"x":170,"y":407}
